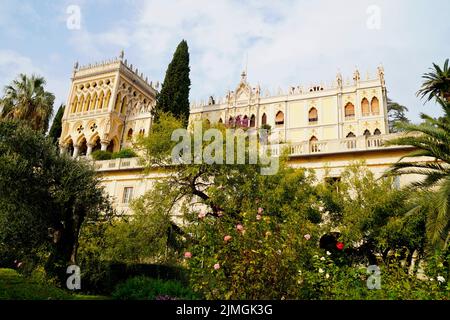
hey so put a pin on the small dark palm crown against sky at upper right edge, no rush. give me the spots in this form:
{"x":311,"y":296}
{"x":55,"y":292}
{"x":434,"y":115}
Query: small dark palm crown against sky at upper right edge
{"x":437,"y":83}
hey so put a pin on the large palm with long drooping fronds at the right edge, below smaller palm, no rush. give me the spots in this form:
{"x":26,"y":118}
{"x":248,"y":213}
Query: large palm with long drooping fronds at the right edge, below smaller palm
{"x":431,"y":139}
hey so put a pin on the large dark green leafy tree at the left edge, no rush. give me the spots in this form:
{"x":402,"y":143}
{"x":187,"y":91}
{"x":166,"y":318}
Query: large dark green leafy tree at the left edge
{"x":48,"y":198}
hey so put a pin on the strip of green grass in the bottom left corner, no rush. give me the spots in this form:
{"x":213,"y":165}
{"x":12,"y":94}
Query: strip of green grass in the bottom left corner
{"x":14,"y":286}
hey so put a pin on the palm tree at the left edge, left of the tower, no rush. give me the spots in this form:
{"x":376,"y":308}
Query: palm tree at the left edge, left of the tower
{"x":26,"y":99}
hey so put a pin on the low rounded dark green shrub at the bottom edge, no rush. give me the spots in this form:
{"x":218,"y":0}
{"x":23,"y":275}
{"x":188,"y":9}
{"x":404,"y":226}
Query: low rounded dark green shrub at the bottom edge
{"x":144,"y":288}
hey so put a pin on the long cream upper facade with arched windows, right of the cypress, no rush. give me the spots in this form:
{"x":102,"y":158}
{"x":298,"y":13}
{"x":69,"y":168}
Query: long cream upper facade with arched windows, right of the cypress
{"x":341,"y":110}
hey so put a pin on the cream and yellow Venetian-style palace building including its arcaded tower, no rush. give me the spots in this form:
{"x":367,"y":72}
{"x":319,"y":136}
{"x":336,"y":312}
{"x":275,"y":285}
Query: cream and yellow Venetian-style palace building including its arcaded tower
{"x":324,"y":127}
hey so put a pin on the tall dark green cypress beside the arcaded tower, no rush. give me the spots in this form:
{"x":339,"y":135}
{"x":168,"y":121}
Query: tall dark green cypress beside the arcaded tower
{"x":174,"y":94}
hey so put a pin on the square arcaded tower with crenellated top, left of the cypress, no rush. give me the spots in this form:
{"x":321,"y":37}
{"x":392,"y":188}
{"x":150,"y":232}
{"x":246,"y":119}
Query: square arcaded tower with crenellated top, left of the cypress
{"x":109,"y":103}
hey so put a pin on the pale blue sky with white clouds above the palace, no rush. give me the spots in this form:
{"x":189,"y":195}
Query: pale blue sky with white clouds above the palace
{"x":287,"y":42}
